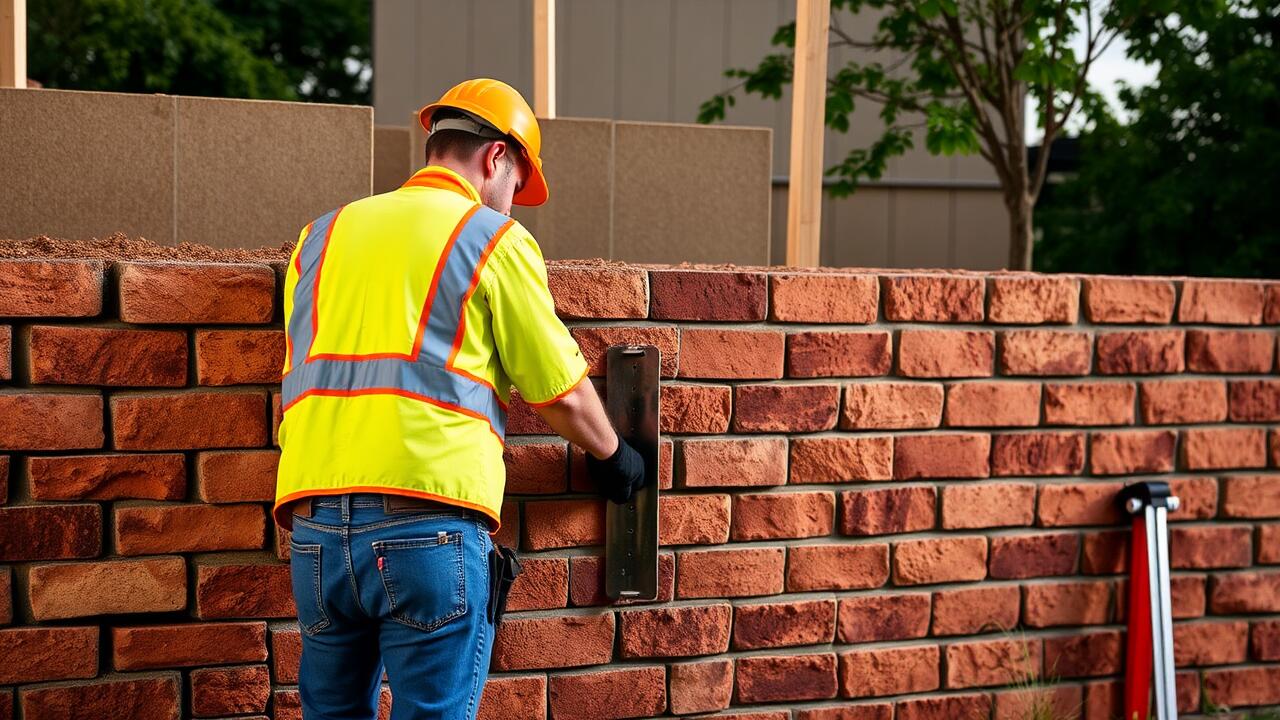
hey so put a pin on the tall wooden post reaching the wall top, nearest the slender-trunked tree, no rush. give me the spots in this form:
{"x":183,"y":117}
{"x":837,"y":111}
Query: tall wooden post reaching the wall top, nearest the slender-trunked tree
{"x":808,"y":107}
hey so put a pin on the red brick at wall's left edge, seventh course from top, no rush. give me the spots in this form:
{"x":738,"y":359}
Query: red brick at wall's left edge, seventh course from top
{"x":36,"y":655}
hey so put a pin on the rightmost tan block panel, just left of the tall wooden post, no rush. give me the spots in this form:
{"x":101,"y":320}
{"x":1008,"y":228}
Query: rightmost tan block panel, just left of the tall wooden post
{"x":696,"y":193}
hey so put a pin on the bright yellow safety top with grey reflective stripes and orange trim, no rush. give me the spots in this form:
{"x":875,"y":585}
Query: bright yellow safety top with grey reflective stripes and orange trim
{"x":408,"y":318}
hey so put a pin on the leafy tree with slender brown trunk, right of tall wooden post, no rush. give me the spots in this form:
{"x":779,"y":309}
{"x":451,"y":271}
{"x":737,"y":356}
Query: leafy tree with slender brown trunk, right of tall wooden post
{"x":962,"y":71}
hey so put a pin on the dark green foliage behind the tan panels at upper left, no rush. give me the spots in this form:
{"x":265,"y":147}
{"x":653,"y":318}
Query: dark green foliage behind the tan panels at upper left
{"x":271,"y":49}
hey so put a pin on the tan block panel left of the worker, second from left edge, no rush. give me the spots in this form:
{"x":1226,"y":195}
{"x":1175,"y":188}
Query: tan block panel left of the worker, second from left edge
{"x":253,"y":174}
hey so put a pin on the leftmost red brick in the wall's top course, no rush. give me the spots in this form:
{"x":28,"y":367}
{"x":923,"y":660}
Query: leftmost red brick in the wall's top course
{"x":51,"y":289}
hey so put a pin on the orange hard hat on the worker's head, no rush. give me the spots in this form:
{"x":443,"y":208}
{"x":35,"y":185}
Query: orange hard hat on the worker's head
{"x":504,"y":108}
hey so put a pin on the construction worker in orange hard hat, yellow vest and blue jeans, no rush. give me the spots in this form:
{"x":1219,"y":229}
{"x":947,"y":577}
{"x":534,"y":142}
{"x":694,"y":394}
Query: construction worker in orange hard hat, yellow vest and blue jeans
{"x":409,"y":316}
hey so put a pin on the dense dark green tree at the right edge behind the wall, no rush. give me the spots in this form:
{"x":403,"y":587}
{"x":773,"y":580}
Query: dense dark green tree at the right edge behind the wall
{"x":1187,"y":184}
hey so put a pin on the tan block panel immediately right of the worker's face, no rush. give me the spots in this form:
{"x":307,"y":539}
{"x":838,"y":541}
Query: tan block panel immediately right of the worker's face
{"x":578,"y":218}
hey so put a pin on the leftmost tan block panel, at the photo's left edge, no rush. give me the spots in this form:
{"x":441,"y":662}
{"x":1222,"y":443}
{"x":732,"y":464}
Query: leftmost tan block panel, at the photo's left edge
{"x":81,"y":165}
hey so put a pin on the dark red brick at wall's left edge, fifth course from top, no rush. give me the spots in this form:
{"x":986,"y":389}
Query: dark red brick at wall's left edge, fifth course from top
{"x":51,"y":532}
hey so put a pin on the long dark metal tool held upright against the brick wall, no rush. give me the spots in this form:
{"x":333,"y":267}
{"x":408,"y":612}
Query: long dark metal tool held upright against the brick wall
{"x":632,"y":530}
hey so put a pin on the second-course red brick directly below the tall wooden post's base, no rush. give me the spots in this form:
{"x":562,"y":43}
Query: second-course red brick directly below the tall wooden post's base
{"x":839,"y":354}
